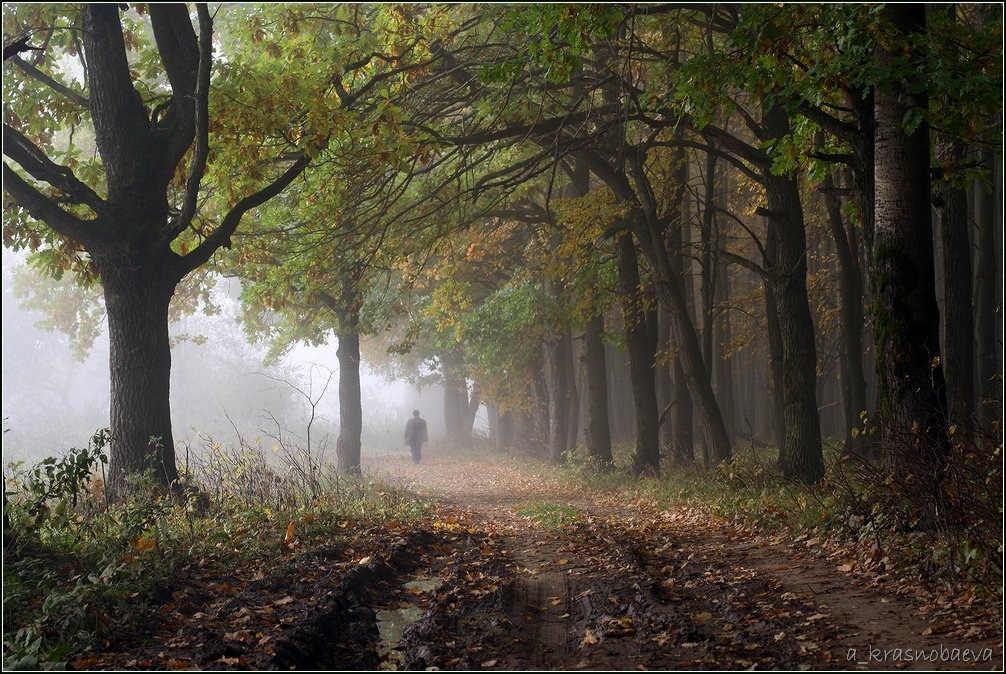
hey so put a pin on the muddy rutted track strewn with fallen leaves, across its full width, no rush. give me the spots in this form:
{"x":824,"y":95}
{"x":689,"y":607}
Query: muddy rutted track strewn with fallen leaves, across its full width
{"x":515,"y":571}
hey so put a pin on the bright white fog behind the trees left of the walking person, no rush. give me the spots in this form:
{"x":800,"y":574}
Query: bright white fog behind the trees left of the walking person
{"x":221,"y":389}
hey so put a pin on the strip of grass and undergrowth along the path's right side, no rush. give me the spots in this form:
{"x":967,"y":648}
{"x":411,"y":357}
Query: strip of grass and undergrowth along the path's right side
{"x":859,"y":508}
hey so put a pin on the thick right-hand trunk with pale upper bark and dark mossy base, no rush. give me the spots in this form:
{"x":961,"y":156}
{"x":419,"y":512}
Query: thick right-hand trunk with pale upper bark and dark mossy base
{"x":906,"y":317}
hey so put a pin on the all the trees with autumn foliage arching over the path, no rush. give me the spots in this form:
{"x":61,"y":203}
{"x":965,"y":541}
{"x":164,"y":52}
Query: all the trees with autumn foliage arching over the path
{"x":501,"y":192}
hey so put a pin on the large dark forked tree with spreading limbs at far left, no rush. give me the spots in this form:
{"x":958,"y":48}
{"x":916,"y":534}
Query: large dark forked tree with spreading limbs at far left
{"x":142,"y":137}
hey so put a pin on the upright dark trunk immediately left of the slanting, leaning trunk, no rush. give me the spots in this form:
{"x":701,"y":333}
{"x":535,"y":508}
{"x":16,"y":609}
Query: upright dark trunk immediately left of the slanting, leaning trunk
{"x":642,"y":348}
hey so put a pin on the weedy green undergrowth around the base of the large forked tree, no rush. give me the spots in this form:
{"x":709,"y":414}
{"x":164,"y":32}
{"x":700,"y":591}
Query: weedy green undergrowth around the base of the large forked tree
{"x":78,"y":568}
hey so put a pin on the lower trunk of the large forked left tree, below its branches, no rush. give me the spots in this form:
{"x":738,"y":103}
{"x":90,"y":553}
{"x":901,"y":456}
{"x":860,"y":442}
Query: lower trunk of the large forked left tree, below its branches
{"x":137,"y":294}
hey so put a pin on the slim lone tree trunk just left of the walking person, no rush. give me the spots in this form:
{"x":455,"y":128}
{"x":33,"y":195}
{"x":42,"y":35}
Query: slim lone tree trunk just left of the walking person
{"x":348,"y":448}
